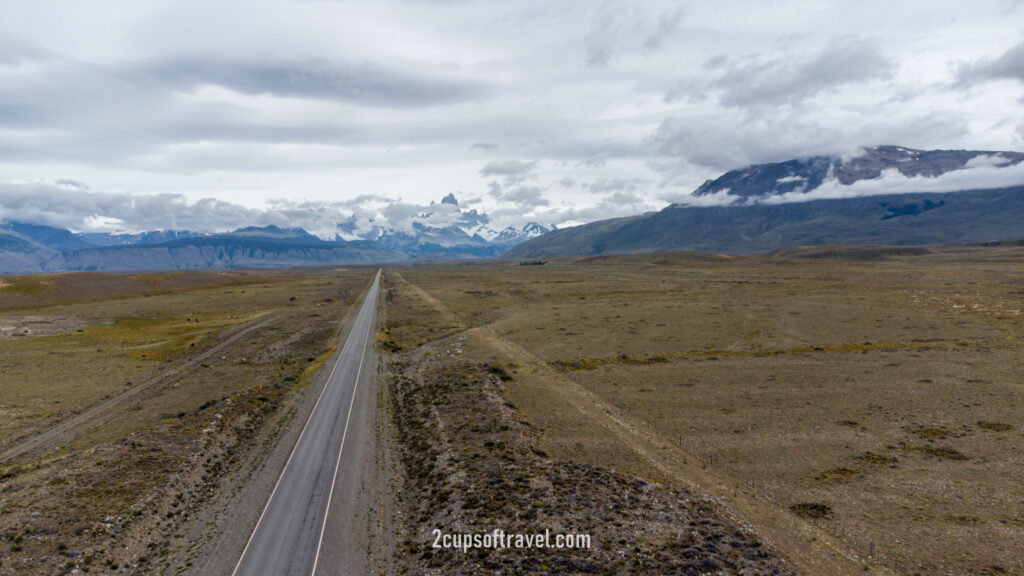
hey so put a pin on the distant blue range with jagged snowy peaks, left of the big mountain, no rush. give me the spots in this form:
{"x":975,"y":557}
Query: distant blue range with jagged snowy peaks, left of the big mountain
{"x":31,"y":248}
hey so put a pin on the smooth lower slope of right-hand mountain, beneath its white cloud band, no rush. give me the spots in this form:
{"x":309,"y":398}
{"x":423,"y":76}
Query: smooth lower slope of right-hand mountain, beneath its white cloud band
{"x":895,"y":220}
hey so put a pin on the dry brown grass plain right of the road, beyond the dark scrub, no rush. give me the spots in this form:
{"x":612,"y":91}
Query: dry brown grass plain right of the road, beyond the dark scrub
{"x":859,"y":404}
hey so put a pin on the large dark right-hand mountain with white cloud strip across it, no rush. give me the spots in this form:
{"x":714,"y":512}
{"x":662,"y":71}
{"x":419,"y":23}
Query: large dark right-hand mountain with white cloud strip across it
{"x":886,"y":195}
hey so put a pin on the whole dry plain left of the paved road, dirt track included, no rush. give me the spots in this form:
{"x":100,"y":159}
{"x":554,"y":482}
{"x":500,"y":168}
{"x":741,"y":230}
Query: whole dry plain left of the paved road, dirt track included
{"x":181,"y":402}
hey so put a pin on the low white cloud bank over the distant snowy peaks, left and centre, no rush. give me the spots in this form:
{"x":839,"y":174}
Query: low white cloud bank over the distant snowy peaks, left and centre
{"x":72,"y":205}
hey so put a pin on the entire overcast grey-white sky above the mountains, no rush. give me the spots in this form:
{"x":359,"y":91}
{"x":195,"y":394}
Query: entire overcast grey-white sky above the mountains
{"x":130,"y":115}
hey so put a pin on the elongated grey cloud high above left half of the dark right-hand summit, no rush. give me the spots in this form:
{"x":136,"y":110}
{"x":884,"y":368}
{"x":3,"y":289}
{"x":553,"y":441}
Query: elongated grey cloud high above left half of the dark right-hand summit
{"x":759,"y":83}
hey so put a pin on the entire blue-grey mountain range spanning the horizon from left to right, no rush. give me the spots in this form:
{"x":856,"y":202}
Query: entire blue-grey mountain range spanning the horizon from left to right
{"x":883,"y":195}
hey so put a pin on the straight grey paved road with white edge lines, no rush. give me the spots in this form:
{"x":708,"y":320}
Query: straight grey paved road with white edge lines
{"x":289,"y":537}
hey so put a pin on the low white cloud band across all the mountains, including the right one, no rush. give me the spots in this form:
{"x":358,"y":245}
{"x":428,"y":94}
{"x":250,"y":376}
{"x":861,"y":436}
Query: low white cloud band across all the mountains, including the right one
{"x":72,"y":205}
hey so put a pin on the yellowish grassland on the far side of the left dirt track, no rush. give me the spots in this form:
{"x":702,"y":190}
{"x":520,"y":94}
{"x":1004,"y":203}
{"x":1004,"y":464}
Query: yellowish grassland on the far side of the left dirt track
{"x":67,"y":353}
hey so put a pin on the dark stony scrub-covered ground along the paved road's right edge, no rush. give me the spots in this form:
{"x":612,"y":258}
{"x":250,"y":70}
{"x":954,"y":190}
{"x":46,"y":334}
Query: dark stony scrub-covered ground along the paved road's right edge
{"x":473,"y":466}
